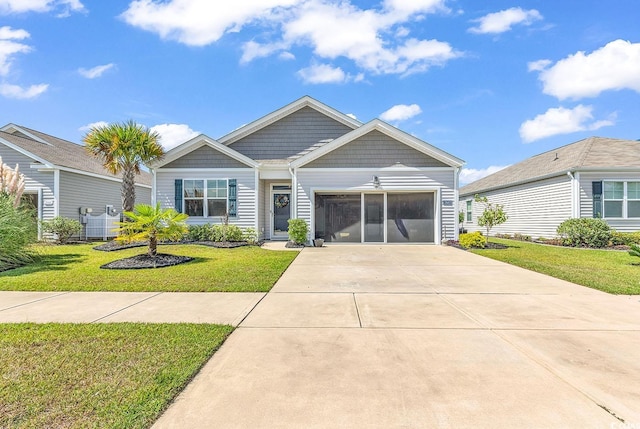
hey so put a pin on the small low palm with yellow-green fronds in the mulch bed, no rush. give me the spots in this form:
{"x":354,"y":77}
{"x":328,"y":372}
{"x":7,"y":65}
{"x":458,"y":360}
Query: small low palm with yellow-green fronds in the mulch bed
{"x":152,"y":224}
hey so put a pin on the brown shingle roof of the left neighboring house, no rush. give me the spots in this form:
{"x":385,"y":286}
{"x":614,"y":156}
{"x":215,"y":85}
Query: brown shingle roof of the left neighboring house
{"x":54,"y":152}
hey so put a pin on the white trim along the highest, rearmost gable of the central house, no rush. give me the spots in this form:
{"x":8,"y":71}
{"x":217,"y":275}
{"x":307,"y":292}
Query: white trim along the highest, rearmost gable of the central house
{"x":285,"y":111}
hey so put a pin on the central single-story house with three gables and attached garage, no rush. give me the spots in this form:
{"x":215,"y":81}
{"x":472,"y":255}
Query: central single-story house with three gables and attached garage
{"x":351,"y":182}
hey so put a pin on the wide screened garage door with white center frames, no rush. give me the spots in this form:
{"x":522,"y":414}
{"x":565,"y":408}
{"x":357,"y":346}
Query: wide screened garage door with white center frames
{"x":389,"y":217}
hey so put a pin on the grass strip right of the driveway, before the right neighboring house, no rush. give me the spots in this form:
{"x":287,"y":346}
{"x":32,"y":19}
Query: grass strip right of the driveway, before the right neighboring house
{"x":606,"y":270}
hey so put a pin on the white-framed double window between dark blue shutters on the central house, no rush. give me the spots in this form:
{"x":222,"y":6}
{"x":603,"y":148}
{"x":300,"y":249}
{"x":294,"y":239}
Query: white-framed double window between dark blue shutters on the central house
{"x":208,"y":201}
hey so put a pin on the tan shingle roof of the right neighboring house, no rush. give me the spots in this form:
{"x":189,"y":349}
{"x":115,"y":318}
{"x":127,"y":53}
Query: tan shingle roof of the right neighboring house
{"x":593,"y":153}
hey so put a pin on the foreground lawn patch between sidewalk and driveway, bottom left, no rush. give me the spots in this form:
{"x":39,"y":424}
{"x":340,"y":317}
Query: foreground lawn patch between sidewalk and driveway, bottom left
{"x":119,"y":375}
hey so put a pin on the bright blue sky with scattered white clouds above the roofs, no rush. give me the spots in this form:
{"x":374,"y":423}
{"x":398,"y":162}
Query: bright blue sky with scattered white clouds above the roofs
{"x":492,"y":82}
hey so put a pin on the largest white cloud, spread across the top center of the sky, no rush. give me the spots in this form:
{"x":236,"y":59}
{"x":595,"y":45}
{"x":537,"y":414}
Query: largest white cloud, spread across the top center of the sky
{"x":374,"y":39}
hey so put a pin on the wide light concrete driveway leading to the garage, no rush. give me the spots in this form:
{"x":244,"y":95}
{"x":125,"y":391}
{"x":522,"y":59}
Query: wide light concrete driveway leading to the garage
{"x":421,"y":337}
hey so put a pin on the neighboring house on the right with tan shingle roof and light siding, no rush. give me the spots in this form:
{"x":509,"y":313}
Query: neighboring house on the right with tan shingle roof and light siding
{"x":594,"y":177}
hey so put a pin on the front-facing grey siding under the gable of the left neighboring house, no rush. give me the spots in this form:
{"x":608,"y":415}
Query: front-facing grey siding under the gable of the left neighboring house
{"x":34,"y":179}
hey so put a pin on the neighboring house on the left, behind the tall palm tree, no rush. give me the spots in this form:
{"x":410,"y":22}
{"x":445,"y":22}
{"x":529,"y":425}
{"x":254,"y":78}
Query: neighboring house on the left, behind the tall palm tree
{"x":61,"y":178}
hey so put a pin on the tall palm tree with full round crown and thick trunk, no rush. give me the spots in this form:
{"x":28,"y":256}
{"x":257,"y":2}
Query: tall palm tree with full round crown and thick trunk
{"x":123,"y":148}
